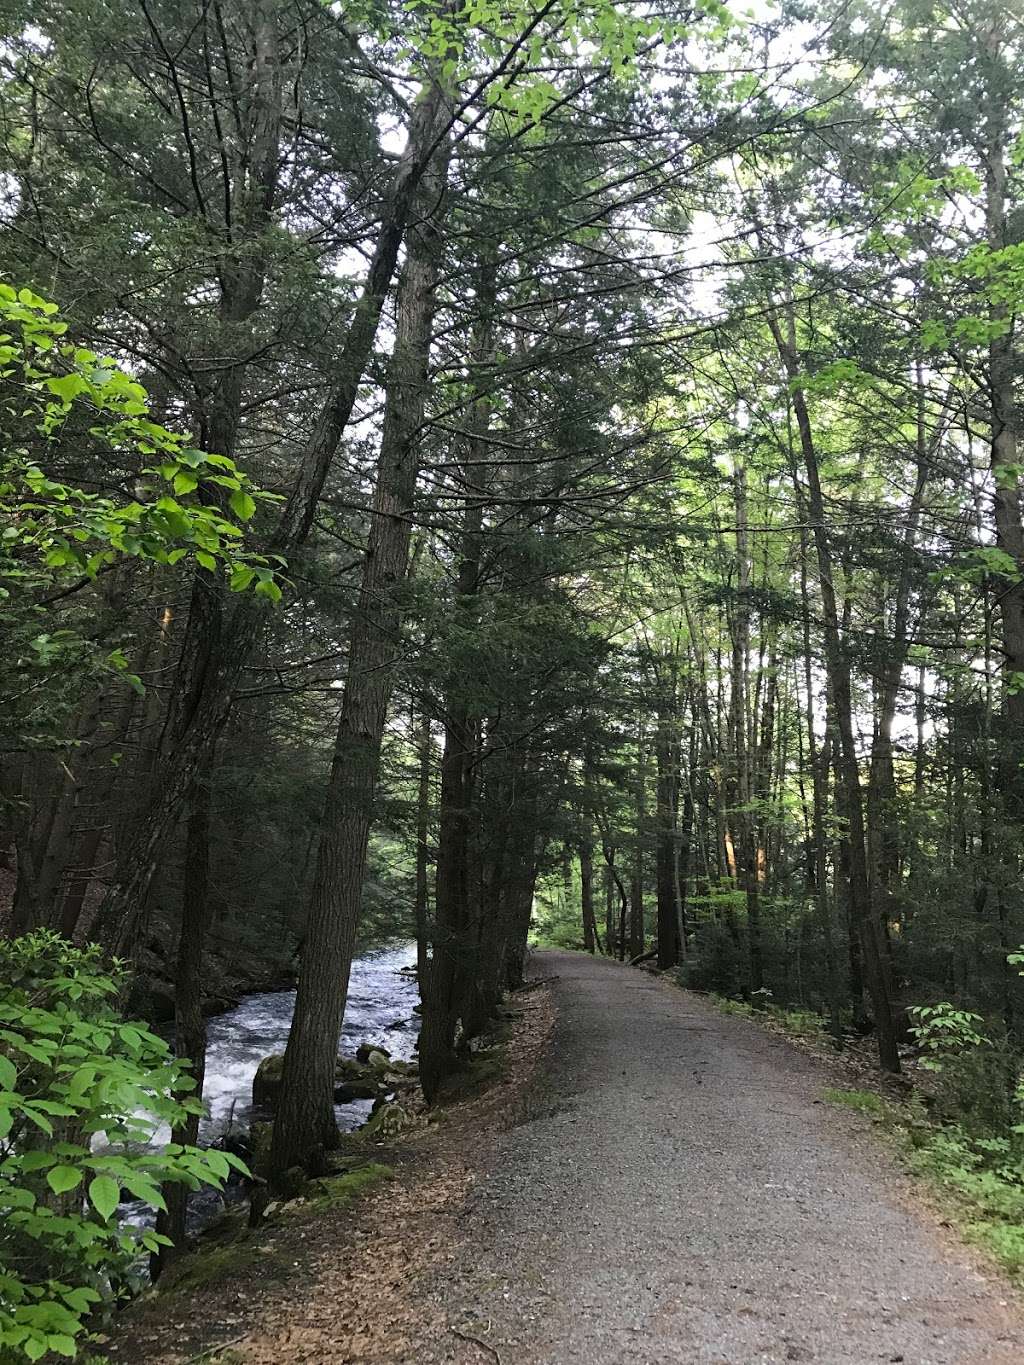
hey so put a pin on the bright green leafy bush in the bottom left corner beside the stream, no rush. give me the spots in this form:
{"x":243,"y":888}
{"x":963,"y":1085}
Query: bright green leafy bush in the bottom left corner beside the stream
{"x":81,"y":1093}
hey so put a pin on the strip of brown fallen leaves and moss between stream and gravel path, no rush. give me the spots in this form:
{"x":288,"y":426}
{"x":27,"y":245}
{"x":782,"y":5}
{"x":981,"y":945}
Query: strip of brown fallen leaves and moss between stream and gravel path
{"x":328,"y":1280}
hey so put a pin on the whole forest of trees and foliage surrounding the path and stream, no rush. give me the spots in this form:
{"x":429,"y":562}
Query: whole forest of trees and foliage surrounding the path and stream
{"x":489,"y":476}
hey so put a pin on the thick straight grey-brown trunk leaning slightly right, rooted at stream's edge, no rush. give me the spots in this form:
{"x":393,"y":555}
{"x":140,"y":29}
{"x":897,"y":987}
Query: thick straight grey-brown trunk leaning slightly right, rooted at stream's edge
{"x":305,"y":1120}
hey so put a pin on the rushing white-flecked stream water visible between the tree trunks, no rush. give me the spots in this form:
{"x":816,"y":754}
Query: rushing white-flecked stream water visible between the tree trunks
{"x":382,"y":1004}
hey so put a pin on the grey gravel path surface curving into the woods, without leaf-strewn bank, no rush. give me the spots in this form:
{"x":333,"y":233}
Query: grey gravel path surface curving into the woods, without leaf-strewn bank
{"x":679,"y":1194}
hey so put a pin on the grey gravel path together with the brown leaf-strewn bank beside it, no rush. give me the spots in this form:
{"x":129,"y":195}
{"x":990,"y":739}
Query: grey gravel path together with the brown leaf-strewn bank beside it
{"x":666,"y":1187}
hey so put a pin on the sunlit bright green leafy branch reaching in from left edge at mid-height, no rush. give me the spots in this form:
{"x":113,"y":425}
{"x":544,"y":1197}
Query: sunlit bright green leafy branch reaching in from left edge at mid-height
{"x":58,"y":395}
